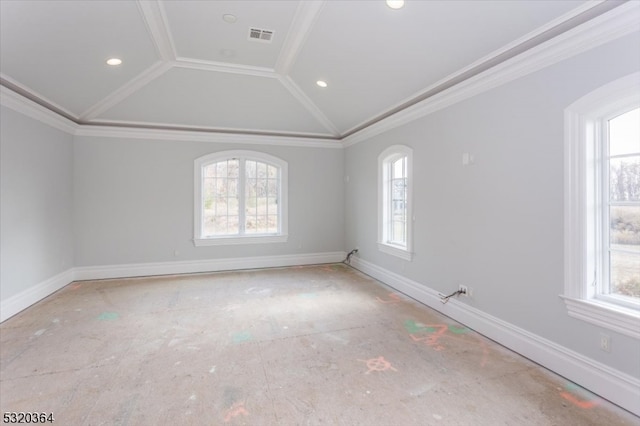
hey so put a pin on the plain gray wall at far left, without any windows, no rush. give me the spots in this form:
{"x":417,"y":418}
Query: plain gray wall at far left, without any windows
{"x":36,"y":183}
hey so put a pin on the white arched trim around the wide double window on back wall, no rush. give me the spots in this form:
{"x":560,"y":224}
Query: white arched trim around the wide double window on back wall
{"x":200,"y":162}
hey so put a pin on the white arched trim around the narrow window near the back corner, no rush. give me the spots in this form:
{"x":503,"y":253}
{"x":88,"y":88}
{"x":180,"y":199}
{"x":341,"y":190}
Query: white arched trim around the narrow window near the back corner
{"x":383,"y":246}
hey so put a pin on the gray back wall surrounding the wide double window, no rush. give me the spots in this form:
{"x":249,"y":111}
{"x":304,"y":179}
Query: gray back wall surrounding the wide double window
{"x":134,"y":201}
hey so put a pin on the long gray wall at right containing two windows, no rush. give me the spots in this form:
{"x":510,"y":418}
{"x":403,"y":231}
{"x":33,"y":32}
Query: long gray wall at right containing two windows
{"x":496,"y":226}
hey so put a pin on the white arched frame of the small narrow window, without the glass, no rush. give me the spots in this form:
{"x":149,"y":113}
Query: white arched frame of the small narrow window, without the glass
{"x":385,"y":160}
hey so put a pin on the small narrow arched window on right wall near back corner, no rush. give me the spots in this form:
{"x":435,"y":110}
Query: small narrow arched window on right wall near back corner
{"x":394,"y":217}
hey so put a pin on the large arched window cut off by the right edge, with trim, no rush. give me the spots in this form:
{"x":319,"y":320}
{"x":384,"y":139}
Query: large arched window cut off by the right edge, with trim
{"x":602,"y":206}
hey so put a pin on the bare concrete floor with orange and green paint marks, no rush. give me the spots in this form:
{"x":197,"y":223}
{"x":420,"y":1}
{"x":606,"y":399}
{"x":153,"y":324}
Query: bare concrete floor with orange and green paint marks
{"x":292,"y":346}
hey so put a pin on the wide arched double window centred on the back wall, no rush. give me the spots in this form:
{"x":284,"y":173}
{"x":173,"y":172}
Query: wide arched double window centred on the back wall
{"x":240,"y":197}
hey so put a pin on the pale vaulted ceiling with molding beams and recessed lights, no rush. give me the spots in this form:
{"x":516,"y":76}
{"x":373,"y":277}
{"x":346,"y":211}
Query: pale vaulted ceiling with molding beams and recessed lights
{"x":193,"y":65}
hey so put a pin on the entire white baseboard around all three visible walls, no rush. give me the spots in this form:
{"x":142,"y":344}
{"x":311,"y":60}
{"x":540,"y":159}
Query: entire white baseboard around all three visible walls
{"x":611,"y":384}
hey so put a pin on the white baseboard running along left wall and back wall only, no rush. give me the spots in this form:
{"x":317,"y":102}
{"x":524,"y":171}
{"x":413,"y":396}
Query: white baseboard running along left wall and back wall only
{"x":28,"y":297}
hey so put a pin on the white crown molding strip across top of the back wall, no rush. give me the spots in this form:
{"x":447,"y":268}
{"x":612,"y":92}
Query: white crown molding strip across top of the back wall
{"x":205,"y":136}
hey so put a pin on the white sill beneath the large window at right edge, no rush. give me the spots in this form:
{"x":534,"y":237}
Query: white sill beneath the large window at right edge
{"x":617,"y":318}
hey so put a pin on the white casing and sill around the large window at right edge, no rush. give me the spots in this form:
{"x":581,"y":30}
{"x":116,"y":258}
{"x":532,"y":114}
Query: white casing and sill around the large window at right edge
{"x":582,"y":124}
